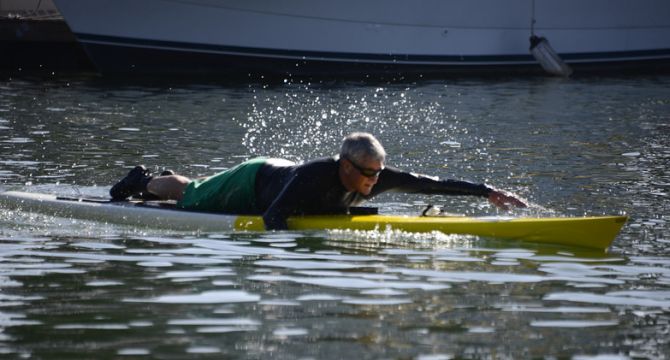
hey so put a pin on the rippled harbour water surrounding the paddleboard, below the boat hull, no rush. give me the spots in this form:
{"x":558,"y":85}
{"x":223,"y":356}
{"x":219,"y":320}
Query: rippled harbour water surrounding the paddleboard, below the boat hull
{"x":79,"y":289}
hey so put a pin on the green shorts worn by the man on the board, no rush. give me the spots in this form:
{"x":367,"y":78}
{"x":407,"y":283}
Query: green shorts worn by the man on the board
{"x":230,"y":191}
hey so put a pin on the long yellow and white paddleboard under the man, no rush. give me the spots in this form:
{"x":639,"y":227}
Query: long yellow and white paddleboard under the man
{"x":590,"y":232}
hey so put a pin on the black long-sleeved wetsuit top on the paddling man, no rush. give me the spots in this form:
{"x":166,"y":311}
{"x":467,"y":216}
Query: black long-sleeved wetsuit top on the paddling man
{"x":315,"y":188}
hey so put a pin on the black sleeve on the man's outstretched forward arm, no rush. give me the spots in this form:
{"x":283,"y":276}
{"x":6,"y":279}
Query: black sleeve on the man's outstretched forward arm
{"x":392,"y":179}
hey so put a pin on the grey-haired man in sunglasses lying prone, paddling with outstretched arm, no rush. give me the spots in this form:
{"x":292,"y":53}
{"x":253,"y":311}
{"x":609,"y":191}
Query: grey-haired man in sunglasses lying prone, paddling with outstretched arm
{"x":278,"y":188}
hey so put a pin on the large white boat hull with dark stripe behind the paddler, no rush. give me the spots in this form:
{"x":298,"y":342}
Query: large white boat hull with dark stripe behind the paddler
{"x":301,"y":37}
